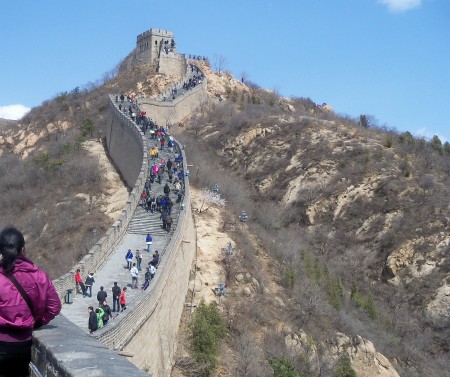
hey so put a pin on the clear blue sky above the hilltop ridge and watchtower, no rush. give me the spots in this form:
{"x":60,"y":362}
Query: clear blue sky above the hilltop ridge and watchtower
{"x":386,"y":58}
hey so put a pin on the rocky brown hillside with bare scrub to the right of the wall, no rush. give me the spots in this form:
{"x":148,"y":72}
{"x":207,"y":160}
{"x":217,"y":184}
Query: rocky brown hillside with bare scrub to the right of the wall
{"x":354,"y":221}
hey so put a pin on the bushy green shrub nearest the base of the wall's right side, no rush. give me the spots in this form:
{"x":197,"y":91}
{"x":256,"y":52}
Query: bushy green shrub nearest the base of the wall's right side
{"x":205,"y":331}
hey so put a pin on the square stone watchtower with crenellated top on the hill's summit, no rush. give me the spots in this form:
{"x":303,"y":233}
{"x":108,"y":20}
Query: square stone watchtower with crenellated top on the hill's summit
{"x":151,"y":43}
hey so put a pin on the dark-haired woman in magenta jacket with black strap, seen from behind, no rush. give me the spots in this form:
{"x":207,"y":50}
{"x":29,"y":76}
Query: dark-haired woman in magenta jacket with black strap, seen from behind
{"x":16,"y":318}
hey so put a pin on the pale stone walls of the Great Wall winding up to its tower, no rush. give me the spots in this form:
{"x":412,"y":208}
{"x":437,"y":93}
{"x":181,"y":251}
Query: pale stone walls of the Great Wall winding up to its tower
{"x":146,"y":335}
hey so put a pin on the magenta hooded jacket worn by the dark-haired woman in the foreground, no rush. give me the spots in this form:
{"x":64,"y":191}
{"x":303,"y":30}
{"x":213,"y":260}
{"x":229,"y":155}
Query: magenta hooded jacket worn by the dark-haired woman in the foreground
{"x":16,"y":320}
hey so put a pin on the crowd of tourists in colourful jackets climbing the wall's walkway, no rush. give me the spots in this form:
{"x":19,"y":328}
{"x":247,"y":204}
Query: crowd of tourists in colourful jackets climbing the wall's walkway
{"x":154,"y":204}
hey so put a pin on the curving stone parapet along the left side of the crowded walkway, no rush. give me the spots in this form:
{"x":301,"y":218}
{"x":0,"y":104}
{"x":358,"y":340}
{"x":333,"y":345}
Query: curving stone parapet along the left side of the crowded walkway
{"x":137,"y":174}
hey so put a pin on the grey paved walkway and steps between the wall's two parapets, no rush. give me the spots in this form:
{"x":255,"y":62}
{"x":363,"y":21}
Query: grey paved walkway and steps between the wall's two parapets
{"x":115,"y":268}
